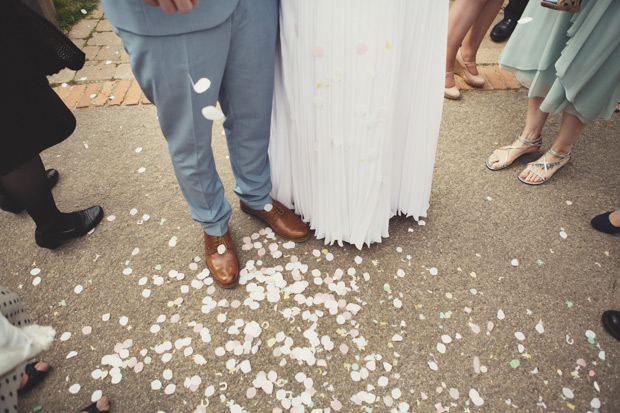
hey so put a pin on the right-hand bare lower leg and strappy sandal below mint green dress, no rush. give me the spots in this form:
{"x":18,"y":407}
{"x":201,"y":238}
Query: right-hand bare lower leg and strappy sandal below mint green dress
{"x":570,"y":130}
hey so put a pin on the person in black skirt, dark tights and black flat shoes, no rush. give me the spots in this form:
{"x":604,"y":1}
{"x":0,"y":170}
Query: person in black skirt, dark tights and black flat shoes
{"x":33,"y":119}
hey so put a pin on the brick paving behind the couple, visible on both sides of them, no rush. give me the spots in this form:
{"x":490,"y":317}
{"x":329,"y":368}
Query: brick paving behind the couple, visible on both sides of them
{"x":106,"y":78}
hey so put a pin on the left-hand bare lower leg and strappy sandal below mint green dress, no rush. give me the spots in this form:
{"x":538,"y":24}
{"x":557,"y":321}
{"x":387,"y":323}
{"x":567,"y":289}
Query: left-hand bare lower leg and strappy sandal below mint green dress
{"x":534,"y":123}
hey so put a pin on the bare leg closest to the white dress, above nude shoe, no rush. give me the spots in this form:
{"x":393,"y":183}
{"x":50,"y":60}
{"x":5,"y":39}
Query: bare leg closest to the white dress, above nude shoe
{"x":462,"y":16}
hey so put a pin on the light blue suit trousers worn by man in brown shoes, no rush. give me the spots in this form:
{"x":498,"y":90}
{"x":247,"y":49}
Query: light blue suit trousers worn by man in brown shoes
{"x":238,"y":57}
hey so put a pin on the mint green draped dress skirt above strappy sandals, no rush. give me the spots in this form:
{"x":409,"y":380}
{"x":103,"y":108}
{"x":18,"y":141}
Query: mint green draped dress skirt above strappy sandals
{"x":570,"y":59}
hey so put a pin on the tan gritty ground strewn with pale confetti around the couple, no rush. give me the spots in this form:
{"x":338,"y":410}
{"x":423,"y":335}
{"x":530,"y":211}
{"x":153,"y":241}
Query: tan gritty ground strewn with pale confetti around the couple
{"x":438,"y":317}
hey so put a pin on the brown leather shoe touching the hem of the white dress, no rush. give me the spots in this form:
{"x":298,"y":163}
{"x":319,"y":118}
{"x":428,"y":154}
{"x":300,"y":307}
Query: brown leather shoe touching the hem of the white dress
{"x":282,"y":220}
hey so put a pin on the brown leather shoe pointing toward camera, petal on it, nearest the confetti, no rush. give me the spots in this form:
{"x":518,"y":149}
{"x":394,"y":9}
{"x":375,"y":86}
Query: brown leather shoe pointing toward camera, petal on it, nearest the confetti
{"x":222,"y":260}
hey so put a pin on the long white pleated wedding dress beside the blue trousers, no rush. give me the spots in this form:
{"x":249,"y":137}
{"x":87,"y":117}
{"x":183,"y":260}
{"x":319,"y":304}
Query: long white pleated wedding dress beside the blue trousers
{"x":357,"y":108}
